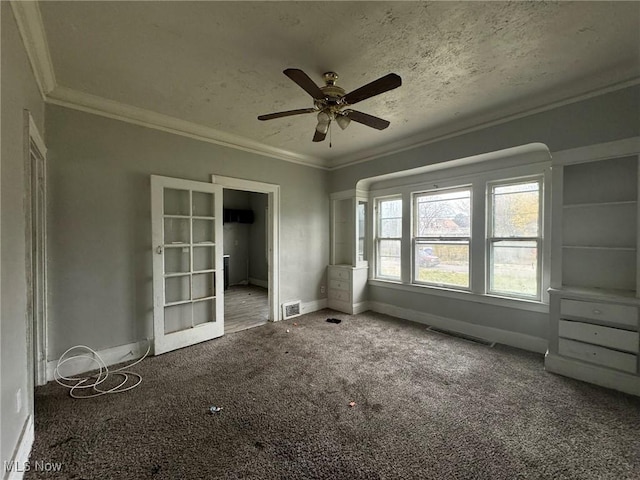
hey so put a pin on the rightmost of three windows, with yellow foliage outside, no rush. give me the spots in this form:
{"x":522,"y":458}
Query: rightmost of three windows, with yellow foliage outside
{"x":514,"y":239}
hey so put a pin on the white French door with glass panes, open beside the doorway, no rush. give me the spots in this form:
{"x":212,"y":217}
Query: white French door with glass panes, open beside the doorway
{"x":188,"y":280}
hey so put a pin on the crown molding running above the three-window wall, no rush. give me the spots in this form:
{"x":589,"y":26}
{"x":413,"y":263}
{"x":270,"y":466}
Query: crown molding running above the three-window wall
{"x":421,"y":140}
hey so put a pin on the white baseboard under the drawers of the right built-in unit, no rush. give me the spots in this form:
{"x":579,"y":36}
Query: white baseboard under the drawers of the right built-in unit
{"x":586,"y":372}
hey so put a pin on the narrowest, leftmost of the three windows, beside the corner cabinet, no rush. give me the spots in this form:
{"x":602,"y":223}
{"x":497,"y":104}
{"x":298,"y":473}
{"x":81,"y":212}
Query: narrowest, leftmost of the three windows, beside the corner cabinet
{"x":389,"y":237}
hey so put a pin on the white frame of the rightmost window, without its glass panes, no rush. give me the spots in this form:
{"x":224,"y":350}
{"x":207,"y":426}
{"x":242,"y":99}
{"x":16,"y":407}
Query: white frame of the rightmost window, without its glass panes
{"x":491,"y":239}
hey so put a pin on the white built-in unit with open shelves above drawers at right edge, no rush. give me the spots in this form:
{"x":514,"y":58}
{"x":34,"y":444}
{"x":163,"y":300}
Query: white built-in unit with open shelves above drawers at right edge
{"x":595,"y":276}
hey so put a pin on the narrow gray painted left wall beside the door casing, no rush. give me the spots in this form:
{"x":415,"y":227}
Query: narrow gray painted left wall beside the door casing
{"x":19,"y":92}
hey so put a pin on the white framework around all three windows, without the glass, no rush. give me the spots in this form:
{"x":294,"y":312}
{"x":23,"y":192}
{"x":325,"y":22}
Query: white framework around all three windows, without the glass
{"x":478,"y":175}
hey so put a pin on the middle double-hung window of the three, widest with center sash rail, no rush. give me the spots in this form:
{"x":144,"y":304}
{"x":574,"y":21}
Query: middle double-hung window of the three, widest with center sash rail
{"x":442,"y":234}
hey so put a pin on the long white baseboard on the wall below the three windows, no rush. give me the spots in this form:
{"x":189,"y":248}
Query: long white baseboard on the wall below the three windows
{"x":505,"y":337}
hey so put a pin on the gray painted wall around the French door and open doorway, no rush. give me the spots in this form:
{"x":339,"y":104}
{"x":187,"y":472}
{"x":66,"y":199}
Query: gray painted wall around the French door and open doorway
{"x":100,"y":227}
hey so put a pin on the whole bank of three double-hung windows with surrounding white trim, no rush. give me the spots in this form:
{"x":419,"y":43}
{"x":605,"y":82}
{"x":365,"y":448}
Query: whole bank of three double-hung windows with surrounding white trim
{"x":467,"y":233}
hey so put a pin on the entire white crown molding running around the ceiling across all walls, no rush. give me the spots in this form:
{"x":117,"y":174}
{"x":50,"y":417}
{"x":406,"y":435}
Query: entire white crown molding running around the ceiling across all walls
{"x":31,"y":28}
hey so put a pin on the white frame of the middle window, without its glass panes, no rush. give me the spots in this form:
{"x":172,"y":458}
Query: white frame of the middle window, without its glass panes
{"x":417,"y":240}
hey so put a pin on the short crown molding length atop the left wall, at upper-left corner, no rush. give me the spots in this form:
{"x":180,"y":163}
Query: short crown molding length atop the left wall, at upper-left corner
{"x":31,"y":28}
